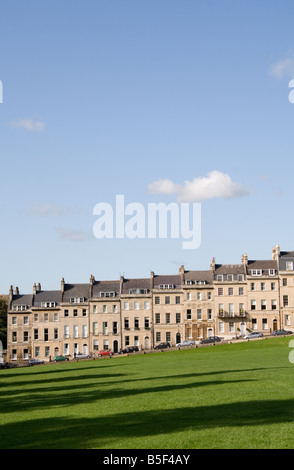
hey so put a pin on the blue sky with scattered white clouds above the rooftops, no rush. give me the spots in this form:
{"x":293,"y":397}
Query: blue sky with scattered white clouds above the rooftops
{"x":127,"y":97}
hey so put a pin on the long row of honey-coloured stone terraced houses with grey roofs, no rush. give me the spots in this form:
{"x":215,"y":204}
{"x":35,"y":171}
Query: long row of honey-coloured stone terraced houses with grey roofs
{"x":226,"y":300}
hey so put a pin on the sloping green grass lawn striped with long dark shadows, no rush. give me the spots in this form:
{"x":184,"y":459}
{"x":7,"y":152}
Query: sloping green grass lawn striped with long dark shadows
{"x":230,"y":396}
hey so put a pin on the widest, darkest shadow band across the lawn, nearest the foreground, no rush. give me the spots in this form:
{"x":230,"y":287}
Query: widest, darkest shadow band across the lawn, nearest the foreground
{"x":117,"y":429}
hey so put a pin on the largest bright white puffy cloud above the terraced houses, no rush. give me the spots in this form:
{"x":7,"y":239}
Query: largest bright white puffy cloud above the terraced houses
{"x":214,"y":185}
